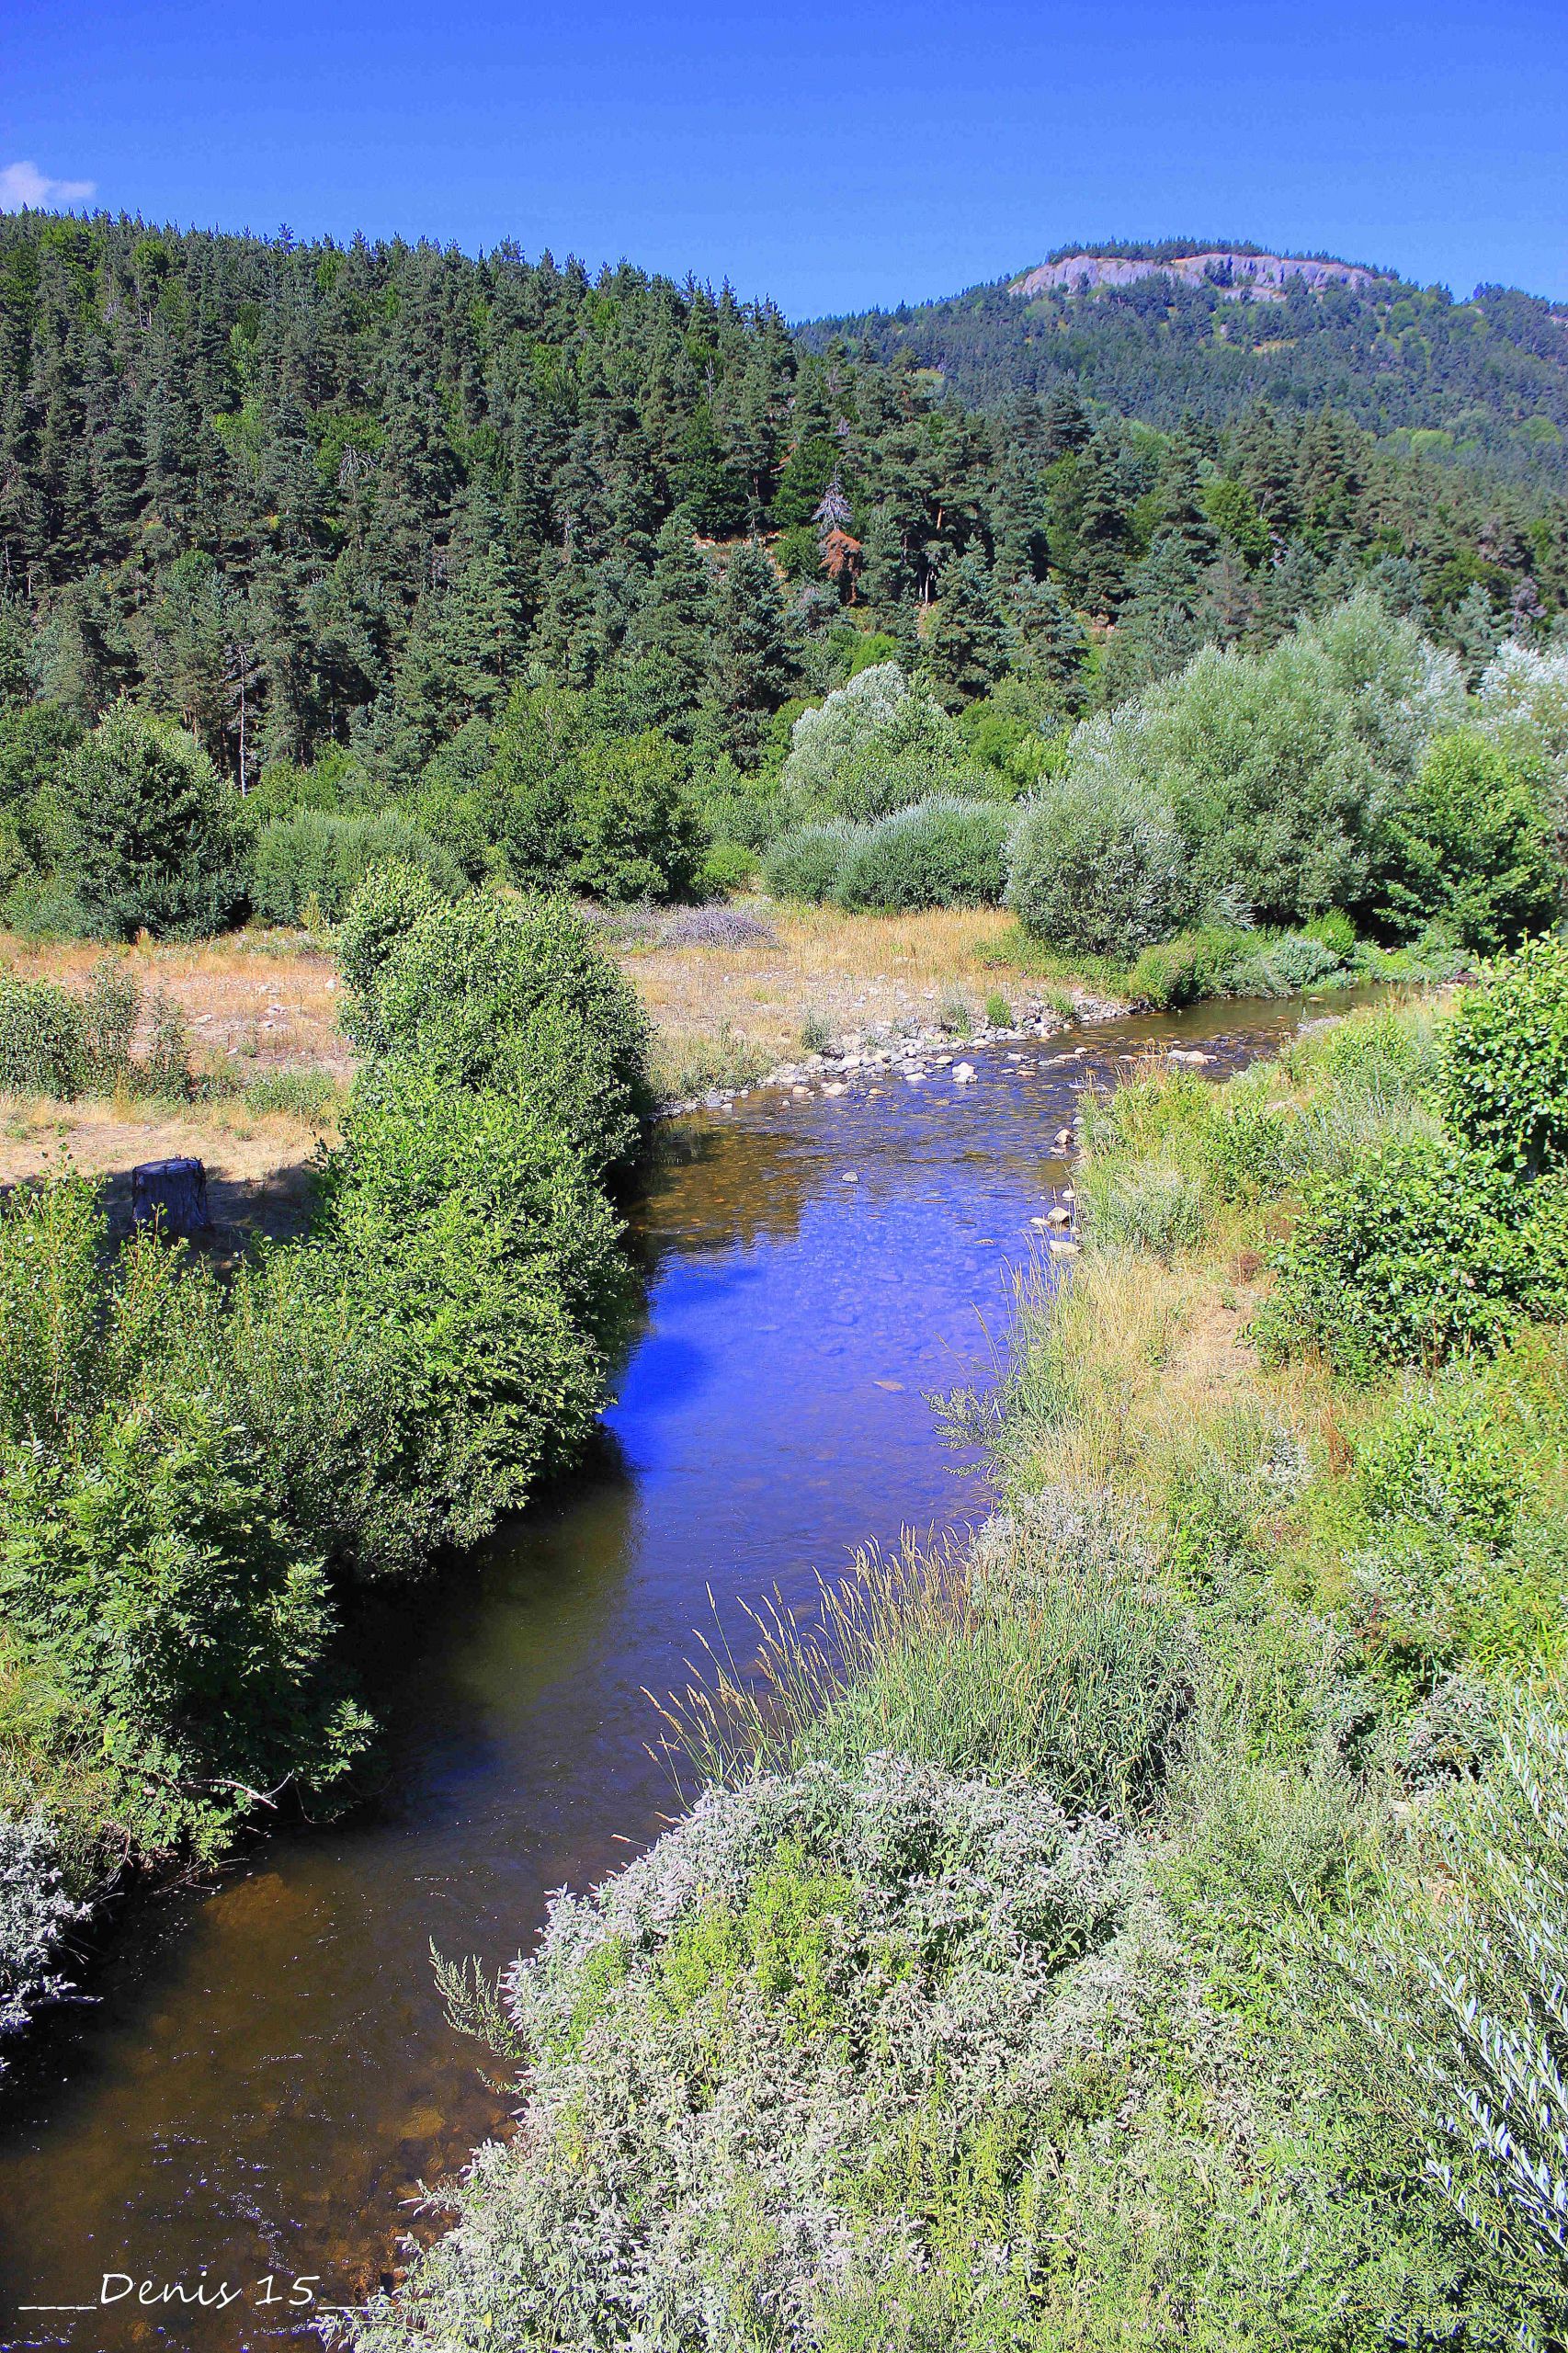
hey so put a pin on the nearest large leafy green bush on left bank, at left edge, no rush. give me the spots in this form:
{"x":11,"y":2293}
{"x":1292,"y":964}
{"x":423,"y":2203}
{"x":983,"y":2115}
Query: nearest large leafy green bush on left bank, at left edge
{"x":159,"y":1585}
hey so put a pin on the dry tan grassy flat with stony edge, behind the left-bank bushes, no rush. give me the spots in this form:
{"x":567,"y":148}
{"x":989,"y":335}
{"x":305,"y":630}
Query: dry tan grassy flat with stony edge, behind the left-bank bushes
{"x":738,"y":999}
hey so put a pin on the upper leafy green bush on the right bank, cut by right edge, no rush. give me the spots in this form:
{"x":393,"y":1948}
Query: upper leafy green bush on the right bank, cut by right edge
{"x":1506,"y":1062}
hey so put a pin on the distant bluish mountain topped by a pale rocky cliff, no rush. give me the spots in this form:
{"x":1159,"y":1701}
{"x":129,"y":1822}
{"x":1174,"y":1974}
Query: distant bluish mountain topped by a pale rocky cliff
{"x":1204,"y":328}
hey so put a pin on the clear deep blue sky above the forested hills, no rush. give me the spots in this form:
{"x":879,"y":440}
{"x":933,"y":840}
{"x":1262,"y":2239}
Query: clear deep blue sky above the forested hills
{"x":832,"y":159}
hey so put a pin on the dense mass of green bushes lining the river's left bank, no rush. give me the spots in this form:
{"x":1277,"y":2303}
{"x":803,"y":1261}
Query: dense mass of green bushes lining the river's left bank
{"x":194,"y":1472}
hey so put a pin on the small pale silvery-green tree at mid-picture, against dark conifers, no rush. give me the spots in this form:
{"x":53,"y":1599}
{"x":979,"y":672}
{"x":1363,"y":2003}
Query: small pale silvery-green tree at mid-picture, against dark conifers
{"x":872,"y":747}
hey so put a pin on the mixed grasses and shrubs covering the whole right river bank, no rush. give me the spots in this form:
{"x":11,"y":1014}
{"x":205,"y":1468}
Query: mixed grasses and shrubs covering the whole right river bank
{"x":1143,"y":1928}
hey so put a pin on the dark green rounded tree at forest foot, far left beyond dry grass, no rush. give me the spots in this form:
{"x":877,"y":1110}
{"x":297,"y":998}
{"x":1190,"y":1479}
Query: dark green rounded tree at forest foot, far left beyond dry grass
{"x":147,"y":832}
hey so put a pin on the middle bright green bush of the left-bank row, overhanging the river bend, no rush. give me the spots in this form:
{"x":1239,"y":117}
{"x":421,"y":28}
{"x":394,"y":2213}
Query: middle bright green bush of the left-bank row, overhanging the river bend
{"x":489,"y":1269}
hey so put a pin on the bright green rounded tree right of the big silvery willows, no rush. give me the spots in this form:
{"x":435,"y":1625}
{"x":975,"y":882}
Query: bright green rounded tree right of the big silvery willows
{"x":1468,"y":851}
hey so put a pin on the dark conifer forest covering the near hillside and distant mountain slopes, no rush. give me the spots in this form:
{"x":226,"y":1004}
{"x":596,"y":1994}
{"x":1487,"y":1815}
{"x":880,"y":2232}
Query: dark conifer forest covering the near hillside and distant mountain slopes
{"x":319,"y":500}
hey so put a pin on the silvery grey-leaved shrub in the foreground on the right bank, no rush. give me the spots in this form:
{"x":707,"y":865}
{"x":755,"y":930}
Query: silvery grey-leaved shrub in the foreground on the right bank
{"x":766,"y":2058}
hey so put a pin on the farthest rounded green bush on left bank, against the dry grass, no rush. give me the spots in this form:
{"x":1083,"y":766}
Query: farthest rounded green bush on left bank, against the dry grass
{"x":512,"y":996}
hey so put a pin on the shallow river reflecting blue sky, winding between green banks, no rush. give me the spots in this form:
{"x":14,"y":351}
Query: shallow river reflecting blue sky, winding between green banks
{"x":265,"y":2077}
